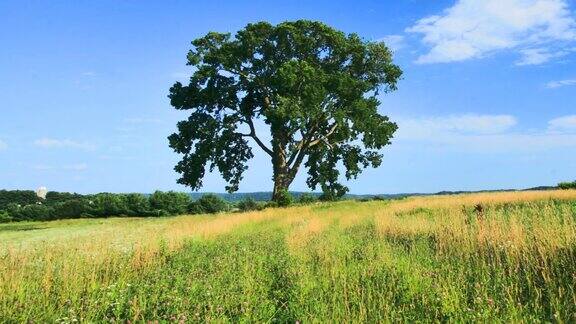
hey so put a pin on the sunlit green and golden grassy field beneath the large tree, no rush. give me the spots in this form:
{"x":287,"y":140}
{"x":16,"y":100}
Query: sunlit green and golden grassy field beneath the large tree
{"x":417,"y":259}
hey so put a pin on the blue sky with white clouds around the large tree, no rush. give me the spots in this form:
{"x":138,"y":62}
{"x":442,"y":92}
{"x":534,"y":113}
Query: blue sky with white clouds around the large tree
{"x":488,"y":98}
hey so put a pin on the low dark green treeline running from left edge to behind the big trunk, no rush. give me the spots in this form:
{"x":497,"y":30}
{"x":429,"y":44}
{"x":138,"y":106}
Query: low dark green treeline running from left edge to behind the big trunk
{"x":25,"y":205}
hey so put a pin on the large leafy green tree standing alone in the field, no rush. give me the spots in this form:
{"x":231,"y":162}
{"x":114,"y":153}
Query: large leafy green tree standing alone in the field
{"x":314,"y":87}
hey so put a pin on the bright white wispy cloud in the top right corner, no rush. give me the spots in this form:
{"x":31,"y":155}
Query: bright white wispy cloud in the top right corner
{"x":476,"y":28}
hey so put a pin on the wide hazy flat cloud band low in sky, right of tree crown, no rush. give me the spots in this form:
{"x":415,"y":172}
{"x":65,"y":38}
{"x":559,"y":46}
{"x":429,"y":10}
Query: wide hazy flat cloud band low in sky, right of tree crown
{"x":484,"y":133}
